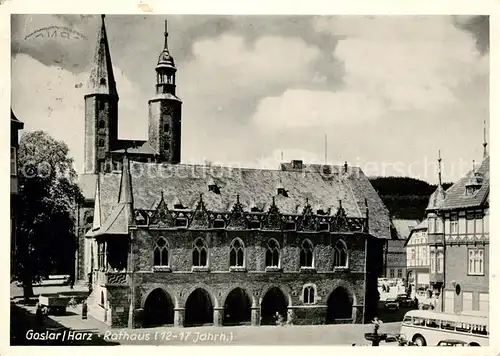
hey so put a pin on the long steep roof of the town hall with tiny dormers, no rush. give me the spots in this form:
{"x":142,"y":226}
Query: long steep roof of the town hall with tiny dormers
{"x":183,"y":184}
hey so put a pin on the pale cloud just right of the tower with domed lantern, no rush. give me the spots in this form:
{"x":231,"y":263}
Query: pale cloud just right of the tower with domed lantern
{"x":226,"y":67}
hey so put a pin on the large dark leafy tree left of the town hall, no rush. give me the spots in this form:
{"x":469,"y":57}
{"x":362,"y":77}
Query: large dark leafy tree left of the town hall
{"x":48,"y":194}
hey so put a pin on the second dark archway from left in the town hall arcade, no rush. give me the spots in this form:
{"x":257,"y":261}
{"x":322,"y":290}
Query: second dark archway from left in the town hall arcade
{"x":199,"y":308}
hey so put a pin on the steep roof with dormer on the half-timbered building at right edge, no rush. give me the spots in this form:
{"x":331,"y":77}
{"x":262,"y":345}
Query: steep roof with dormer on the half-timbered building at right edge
{"x":456,"y":197}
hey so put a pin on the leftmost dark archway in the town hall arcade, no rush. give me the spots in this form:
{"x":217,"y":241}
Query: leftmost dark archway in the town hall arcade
{"x":158,"y":308}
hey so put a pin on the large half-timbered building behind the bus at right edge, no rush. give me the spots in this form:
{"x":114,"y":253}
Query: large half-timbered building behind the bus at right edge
{"x":462,"y":233}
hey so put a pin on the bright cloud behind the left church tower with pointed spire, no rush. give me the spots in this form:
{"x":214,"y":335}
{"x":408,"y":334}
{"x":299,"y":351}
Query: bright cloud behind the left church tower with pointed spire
{"x":52,"y":99}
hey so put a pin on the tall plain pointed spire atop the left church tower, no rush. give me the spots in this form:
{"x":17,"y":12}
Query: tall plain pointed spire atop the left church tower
{"x":102,"y":79}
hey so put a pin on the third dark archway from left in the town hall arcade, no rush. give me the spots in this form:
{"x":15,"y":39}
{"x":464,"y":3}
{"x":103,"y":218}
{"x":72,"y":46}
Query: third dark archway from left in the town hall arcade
{"x":237,"y":306}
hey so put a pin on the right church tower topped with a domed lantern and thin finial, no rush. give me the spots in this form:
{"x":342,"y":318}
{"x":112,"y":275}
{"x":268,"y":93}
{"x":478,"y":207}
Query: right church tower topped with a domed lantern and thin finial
{"x":165,"y":110}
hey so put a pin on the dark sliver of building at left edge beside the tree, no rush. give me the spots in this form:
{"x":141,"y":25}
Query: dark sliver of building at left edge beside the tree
{"x":15,"y":126}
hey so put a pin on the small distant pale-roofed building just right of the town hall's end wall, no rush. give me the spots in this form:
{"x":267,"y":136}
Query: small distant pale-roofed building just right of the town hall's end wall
{"x":396,"y":251}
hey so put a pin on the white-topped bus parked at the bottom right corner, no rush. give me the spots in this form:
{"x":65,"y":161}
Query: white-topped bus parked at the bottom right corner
{"x":427,"y":328}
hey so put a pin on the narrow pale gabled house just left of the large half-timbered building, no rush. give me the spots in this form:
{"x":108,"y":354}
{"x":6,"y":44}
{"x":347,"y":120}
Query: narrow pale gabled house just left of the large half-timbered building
{"x":418,"y":258}
